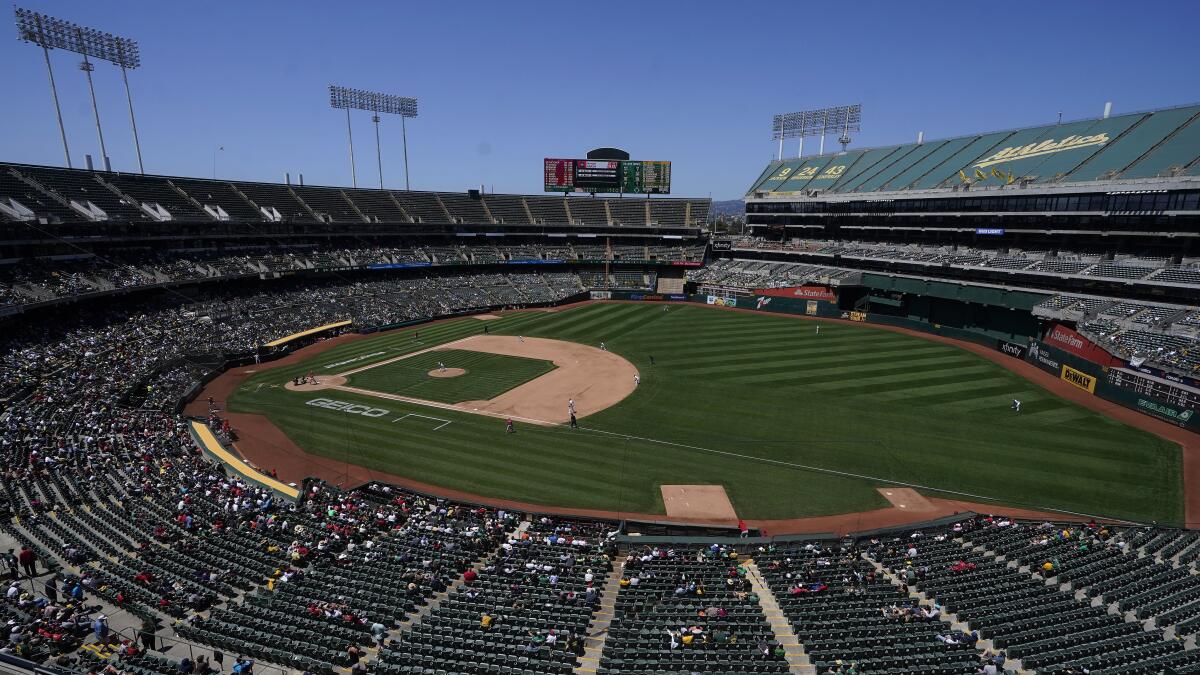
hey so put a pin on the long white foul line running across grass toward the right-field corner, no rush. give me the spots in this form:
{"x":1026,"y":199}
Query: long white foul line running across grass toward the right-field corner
{"x":724,"y":453}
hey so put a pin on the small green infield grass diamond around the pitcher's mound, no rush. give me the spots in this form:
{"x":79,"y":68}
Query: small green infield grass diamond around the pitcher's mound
{"x":488,"y":377}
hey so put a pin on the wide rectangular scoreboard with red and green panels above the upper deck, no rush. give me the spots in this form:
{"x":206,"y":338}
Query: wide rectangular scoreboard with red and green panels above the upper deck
{"x":608,"y":176}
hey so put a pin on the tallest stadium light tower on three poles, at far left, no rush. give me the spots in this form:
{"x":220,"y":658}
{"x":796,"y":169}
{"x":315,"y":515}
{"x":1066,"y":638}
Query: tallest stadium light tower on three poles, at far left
{"x":51,"y":33}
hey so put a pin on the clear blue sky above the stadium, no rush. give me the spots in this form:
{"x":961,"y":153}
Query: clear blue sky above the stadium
{"x":505,"y":85}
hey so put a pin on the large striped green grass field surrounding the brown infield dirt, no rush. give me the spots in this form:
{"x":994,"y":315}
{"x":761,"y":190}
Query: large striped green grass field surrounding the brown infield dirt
{"x":749,"y":402}
